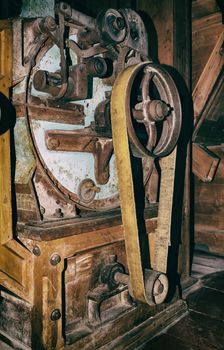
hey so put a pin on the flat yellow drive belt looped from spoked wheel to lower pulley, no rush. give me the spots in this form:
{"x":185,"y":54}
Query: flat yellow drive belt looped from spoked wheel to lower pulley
{"x":119,"y":107}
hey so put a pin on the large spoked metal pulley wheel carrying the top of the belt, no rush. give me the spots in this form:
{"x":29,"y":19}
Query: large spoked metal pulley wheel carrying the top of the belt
{"x":153,"y":111}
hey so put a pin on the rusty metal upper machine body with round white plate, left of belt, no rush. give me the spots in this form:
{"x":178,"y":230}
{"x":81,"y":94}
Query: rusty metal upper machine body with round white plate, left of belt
{"x":73,"y":101}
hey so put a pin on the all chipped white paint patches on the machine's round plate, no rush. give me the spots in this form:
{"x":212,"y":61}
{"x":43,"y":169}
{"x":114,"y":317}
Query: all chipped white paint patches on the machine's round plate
{"x":70,"y":168}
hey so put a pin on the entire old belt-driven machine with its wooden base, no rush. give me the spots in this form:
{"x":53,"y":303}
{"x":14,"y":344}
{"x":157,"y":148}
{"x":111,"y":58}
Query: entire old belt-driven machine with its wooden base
{"x":94,"y":128}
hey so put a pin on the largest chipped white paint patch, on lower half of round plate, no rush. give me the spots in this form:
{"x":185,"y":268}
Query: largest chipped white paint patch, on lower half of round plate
{"x":70,"y":168}
